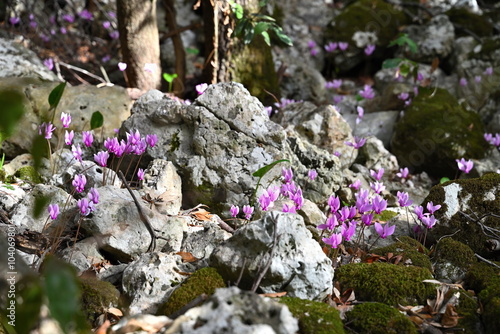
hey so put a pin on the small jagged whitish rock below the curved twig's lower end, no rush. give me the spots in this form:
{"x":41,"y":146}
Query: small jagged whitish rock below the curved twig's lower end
{"x":151,"y":279}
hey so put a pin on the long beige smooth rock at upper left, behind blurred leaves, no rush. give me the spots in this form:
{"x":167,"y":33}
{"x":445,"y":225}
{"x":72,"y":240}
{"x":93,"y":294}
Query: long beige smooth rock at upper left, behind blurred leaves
{"x":79,"y":101}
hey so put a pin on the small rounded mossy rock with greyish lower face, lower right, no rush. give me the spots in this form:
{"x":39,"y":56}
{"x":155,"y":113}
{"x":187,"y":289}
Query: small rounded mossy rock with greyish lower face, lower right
{"x":452,"y":260}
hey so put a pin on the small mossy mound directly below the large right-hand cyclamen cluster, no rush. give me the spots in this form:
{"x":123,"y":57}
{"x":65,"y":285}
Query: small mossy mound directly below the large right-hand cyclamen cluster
{"x":409,"y":249}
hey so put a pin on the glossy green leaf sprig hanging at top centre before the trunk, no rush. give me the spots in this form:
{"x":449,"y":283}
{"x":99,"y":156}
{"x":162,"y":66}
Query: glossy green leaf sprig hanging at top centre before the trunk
{"x":250,"y":25}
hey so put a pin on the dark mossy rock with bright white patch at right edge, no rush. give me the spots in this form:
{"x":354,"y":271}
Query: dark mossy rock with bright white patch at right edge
{"x":475,"y":197}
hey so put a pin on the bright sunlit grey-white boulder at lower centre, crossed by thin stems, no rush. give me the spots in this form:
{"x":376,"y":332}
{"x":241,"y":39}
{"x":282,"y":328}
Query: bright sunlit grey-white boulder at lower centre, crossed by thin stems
{"x":298,"y":265}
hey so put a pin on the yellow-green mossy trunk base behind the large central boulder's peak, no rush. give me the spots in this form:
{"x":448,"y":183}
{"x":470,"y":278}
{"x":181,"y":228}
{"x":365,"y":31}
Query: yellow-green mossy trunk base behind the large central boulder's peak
{"x":253,"y":66}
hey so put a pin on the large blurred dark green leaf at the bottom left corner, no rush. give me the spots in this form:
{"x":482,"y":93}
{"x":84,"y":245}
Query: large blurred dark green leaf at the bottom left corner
{"x":63,"y":294}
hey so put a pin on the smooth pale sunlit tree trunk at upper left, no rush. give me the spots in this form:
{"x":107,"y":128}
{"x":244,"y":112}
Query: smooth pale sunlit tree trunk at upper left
{"x":139,"y":43}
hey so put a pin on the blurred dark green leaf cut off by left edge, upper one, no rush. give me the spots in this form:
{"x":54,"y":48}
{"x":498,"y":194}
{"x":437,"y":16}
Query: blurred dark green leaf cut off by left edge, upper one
{"x":12,"y":110}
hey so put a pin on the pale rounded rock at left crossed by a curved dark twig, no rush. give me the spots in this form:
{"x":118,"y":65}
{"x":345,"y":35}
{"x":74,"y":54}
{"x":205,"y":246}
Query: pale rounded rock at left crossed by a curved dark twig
{"x":122,"y":234}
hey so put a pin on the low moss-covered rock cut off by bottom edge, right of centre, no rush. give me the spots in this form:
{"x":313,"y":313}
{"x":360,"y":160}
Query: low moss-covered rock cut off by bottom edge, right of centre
{"x":378,"y":318}
